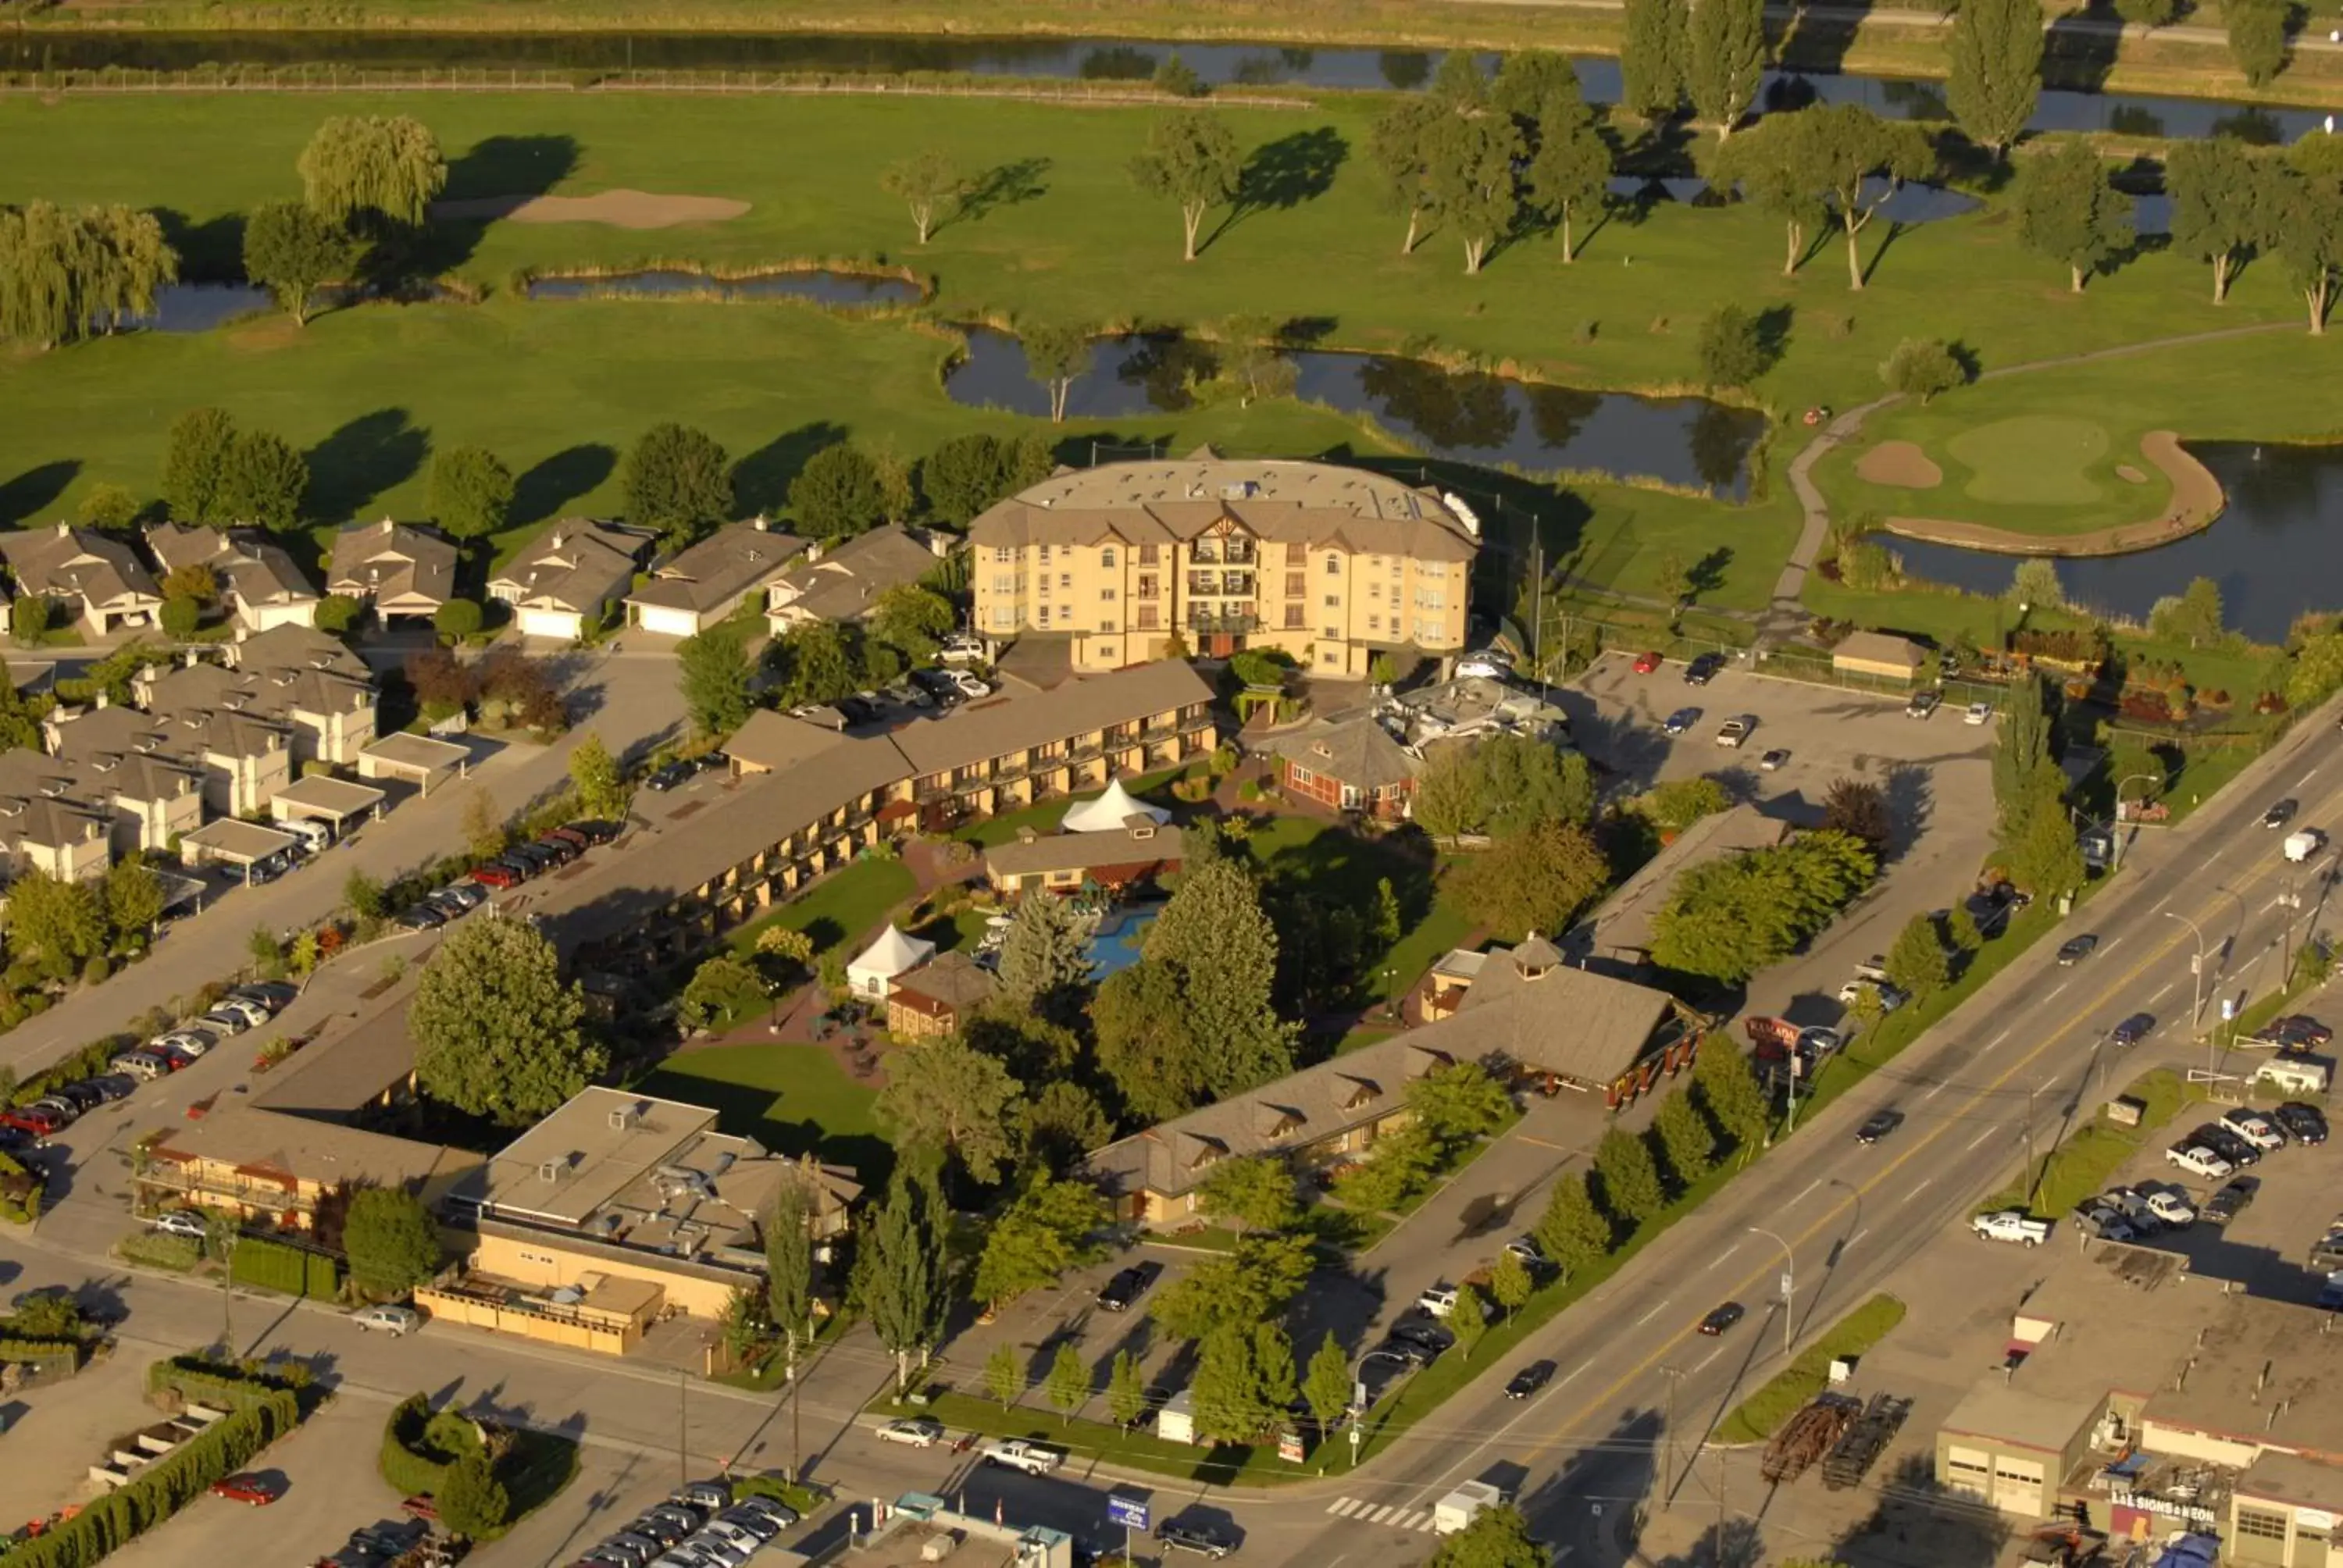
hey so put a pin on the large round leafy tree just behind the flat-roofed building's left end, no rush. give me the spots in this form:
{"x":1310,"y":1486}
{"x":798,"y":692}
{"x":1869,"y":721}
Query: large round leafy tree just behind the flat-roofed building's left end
{"x":498,"y":1030}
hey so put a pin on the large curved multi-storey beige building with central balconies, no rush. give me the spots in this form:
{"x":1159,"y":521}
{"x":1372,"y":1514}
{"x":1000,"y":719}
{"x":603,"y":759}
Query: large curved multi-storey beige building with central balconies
{"x":1325,"y":564}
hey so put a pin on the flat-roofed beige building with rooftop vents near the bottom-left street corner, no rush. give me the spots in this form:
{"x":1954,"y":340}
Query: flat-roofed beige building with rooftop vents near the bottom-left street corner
{"x":622,"y":1187}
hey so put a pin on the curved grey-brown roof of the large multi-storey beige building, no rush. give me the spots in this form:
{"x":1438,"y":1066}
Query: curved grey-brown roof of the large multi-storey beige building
{"x":1180,"y":500}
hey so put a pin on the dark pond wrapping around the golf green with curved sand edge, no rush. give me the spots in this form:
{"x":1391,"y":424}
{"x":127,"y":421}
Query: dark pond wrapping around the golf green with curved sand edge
{"x":2276,"y":550}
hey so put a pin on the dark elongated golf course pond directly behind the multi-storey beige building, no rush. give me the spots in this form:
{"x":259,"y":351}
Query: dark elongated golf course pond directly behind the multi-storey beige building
{"x":1461,"y":416}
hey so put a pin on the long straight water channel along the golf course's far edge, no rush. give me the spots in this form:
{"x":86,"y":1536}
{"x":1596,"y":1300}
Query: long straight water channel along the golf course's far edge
{"x":1095,"y":60}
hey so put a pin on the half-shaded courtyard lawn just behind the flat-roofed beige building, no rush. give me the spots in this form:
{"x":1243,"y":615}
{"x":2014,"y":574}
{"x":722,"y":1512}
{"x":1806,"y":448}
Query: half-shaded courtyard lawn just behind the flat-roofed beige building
{"x":791,"y":1098}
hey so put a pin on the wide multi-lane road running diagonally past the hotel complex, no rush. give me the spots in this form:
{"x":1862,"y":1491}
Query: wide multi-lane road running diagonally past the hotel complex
{"x":2023,"y":1058}
